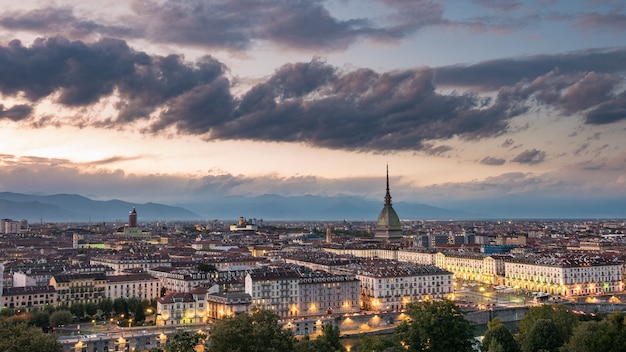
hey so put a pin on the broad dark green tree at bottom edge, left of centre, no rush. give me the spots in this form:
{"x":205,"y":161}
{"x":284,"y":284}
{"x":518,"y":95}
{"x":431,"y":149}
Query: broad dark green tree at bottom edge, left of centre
{"x":247,"y":333}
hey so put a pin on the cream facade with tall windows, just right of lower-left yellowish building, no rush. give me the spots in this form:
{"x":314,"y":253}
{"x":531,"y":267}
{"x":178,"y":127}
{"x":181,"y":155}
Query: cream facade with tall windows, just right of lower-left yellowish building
{"x":141,"y":286}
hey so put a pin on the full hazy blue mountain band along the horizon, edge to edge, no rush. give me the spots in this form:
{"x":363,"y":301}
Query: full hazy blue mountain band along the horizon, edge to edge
{"x":77,"y":208}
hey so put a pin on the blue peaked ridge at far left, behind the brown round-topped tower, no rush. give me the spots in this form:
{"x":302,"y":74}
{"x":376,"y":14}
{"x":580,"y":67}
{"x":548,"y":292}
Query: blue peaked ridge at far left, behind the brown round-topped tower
{"x":76,"y":208}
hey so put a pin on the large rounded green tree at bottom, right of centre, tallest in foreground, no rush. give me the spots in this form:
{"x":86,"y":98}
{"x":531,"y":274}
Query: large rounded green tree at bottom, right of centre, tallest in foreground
{"x":435,"y":326}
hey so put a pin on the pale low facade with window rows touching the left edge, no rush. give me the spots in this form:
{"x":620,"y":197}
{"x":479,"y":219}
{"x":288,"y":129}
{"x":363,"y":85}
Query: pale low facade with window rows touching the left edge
{"x":28,"y":297}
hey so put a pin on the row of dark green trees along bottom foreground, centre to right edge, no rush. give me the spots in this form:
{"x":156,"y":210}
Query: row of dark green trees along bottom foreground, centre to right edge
{"x":433,"y":326}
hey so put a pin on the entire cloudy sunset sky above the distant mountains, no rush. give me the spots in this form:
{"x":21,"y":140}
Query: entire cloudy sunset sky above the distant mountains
{"x":174,"y":101}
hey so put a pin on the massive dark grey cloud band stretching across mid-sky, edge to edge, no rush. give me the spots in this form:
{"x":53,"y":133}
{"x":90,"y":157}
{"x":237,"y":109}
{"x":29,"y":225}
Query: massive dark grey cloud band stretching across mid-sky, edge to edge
{"x":306,"y":102}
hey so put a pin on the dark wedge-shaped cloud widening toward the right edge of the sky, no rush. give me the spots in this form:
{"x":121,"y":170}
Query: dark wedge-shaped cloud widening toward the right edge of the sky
{"x":589,"y":82}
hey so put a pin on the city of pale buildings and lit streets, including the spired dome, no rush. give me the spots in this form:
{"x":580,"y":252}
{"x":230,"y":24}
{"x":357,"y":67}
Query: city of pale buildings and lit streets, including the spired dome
{"x":360,"y":276}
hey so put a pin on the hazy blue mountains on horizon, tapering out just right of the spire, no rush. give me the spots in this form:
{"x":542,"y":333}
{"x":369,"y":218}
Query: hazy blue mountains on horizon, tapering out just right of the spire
{"x":77,"y":208}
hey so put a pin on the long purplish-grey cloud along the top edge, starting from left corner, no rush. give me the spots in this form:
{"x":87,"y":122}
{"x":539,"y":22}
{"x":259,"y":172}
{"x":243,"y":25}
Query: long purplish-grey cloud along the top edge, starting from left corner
{"x":235,"y":25}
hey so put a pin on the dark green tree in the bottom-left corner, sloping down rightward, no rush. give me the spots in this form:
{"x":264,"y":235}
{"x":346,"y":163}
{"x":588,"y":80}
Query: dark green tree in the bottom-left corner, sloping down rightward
{"x":18,"y":336}
